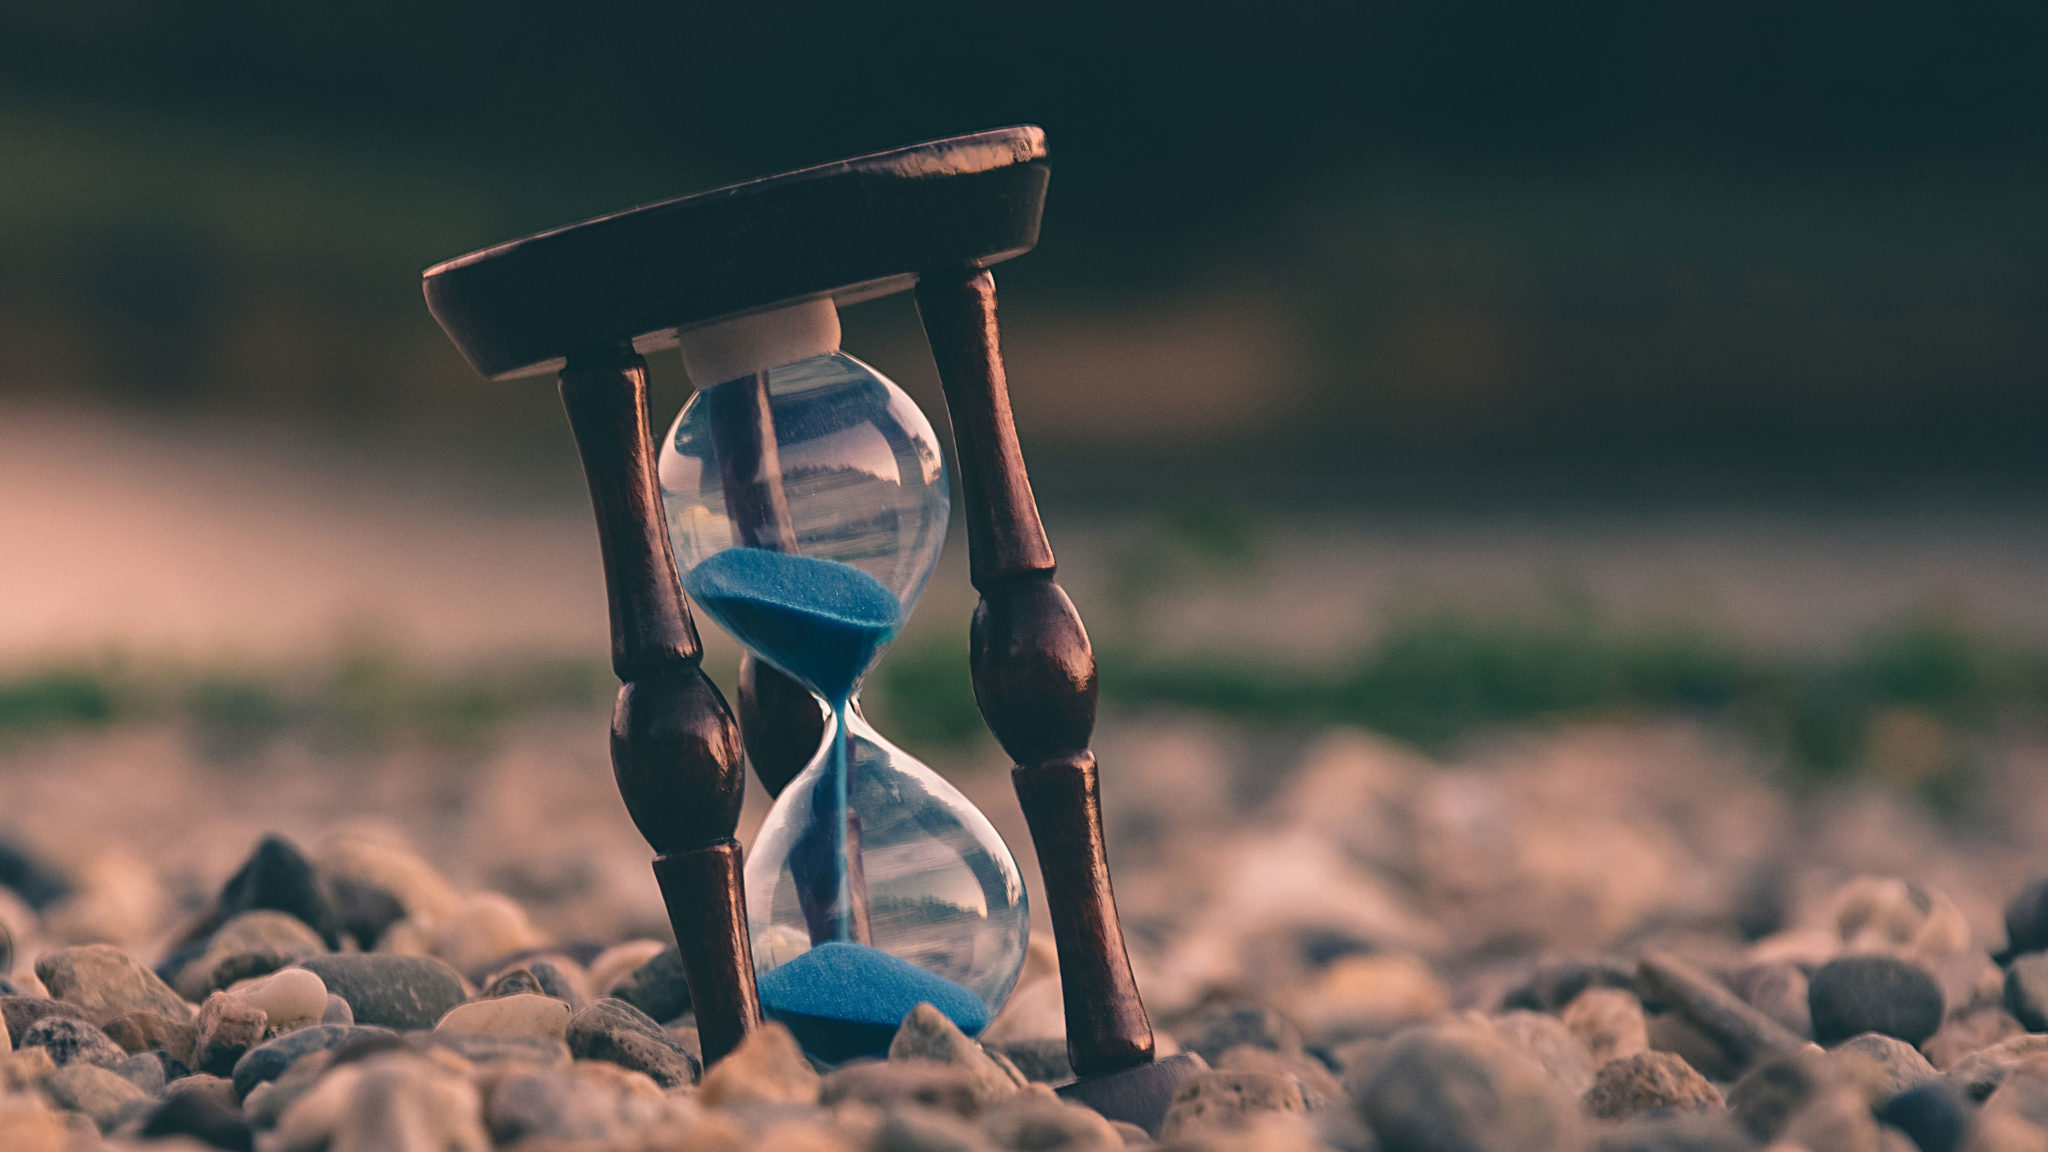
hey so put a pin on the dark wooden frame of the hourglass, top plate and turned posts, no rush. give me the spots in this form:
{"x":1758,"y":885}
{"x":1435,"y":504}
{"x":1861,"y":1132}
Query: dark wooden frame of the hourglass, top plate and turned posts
{"x":587,"y":302}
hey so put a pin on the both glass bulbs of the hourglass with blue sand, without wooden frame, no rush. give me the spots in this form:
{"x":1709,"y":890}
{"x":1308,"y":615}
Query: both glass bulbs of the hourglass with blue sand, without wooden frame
{"x":806,"y":507}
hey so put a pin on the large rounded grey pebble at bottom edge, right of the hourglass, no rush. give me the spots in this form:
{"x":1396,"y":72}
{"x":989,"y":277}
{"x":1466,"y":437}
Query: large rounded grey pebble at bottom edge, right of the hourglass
{"x":1461,"y":1089}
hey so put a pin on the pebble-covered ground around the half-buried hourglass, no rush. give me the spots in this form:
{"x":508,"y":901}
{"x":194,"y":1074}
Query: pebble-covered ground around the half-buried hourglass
{"x":1594,"y":940}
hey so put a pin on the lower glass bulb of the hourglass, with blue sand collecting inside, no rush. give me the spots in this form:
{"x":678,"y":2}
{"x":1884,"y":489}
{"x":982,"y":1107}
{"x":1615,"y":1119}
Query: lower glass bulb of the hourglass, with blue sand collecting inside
{"x":867,"y":903}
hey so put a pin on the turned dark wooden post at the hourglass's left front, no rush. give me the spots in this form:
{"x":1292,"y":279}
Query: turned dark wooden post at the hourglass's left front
{"x":675,"y":743}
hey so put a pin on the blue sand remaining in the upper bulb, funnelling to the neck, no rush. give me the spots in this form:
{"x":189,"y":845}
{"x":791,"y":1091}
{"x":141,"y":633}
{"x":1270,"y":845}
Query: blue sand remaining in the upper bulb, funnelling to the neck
{"x":818,"y":620}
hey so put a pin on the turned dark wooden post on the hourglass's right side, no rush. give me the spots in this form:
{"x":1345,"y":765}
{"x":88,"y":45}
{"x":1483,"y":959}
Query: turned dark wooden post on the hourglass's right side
{"x":1035,"y":677}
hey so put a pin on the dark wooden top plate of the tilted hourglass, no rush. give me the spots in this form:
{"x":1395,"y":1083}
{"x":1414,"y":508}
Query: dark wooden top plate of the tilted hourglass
{"x":851,"y":231}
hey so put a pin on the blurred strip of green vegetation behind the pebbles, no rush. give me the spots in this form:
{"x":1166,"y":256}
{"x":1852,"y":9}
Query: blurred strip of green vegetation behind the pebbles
{"x":1900,"y":706}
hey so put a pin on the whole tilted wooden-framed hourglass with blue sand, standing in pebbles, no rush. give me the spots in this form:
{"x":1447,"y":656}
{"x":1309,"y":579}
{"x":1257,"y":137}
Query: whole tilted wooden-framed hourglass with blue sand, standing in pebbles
{"x":804,"y":509}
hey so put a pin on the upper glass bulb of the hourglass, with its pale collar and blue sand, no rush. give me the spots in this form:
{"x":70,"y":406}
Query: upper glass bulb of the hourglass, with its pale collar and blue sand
{"x":806,"y":495}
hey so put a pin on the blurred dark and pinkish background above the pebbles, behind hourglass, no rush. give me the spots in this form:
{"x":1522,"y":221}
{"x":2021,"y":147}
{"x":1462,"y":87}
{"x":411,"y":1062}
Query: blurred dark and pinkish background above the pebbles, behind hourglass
{"x":1457,"y":372}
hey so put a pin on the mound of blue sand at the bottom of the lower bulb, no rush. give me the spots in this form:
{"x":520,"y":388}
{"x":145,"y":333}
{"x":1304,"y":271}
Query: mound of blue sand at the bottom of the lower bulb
{"x":845,"y":999}
